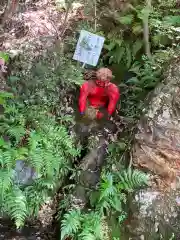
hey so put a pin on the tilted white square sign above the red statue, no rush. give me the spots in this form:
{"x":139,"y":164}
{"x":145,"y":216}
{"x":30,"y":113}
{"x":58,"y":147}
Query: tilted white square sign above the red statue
{"x":88,"y":48}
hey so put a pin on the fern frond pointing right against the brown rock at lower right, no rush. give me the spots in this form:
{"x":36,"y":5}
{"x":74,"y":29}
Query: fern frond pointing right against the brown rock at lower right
{"x":131,"y":179}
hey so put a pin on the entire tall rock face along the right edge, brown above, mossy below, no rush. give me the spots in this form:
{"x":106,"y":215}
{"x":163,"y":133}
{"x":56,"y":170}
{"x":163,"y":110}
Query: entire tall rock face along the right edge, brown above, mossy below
{"x":155,"y":212}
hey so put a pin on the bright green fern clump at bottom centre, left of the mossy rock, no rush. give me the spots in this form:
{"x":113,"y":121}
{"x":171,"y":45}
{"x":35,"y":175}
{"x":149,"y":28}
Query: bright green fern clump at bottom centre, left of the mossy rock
{"x":106,"y":201}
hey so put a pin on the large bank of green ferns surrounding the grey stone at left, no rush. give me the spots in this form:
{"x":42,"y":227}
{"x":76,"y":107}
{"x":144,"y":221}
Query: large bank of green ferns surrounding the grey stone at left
{"x":43,"y":145}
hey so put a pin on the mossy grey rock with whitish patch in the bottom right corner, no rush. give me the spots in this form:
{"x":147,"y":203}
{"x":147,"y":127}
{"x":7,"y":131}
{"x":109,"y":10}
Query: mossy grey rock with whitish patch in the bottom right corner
{"x":155,"y":216}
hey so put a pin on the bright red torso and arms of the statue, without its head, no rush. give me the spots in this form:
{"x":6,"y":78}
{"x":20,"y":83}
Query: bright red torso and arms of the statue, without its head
{"x":98,"y":96}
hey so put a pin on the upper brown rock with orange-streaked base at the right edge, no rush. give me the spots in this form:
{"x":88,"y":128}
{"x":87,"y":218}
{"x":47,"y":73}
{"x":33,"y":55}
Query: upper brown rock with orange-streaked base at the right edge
{"x":157,"y":142}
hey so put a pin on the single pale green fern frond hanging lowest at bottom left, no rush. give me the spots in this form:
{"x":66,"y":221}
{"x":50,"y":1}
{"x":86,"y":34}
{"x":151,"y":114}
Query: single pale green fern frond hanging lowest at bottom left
{"x":15,"y":205}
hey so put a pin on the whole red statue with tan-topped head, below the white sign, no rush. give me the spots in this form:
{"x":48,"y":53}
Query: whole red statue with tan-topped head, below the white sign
{"x":99,"y":93}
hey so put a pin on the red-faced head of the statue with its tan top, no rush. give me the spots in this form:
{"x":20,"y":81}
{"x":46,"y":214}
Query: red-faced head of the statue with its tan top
{"x":104,"y":76}
